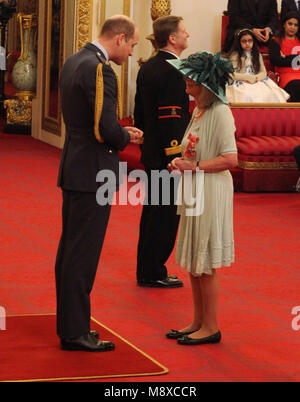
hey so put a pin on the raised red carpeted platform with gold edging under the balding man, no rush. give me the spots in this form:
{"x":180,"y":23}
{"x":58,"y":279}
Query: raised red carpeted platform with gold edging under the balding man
{"x":39,"y":357}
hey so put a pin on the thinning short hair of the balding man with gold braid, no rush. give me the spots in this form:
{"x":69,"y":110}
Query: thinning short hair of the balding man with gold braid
{"x":117,"y":25}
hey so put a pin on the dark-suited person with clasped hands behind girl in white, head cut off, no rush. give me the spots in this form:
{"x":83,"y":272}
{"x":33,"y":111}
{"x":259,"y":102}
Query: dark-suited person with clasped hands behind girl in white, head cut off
{"x":259,"y":15}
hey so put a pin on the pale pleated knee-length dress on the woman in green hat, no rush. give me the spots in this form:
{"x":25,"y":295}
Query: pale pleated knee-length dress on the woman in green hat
{"x":206,"y":242}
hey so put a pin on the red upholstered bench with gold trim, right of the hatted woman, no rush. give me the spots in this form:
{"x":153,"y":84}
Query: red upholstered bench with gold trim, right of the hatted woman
{"x":266,"y":137}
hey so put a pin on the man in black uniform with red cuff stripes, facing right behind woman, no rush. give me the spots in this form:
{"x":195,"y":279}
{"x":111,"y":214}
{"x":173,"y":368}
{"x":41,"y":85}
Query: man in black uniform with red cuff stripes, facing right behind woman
{"x":162,"y":112}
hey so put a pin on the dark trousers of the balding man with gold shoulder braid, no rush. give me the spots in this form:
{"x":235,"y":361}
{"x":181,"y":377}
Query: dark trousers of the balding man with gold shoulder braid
{"x":84,"y":224}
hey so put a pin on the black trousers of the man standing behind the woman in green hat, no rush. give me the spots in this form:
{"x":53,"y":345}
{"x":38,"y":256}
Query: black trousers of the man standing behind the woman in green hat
{"x":158,"y":231}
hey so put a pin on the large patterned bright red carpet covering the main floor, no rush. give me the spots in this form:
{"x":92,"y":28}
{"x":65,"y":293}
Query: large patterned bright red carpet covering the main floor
{"x":257,"y":295}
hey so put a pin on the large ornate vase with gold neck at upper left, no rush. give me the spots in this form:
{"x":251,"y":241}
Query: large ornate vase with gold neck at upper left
{"x":25,"y":71}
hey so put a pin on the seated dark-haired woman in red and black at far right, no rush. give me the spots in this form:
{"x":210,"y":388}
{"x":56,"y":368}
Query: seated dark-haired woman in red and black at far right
{"x":284,"y":50}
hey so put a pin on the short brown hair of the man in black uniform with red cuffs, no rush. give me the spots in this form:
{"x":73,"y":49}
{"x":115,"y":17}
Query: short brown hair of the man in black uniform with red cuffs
{"x":163,"y":27}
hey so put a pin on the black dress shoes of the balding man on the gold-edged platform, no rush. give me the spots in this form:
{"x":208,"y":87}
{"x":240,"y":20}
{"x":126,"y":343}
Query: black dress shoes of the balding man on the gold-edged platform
{"x":87,"y":343}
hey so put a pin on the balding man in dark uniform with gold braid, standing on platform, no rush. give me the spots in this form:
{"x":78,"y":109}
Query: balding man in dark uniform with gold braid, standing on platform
{"x":89,"y":91}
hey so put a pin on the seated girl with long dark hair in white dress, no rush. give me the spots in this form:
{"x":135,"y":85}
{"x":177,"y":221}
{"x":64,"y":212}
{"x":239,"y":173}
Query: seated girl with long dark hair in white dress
{"x":250,"y":82}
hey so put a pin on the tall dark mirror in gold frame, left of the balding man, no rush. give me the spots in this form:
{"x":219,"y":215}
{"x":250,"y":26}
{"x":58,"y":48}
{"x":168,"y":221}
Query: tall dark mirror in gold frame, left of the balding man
{"x":53,"y":59}
